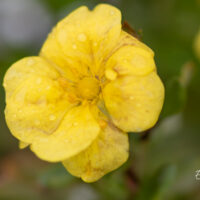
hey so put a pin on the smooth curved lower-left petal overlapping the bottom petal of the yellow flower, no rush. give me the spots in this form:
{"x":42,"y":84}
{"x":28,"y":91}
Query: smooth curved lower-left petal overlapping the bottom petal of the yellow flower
{"x":76,"y":132}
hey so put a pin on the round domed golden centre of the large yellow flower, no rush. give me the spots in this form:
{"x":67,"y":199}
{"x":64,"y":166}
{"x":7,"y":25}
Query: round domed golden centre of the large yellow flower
{"x":88,"y":88}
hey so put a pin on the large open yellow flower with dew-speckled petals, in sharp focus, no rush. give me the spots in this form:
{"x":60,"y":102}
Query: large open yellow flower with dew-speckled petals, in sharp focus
{"x":91,"y":83}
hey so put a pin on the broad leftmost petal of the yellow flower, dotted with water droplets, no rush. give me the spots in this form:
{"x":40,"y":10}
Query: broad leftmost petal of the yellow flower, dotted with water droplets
{"x":36,"y":102}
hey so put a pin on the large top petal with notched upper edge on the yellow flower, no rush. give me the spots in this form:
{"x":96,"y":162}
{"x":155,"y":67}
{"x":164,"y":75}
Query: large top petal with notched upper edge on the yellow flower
{"x":83,"y":39}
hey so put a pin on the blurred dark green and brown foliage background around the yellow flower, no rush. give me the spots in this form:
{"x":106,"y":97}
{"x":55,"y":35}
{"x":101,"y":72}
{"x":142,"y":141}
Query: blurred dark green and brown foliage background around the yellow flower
{"x":163,"y":161}
